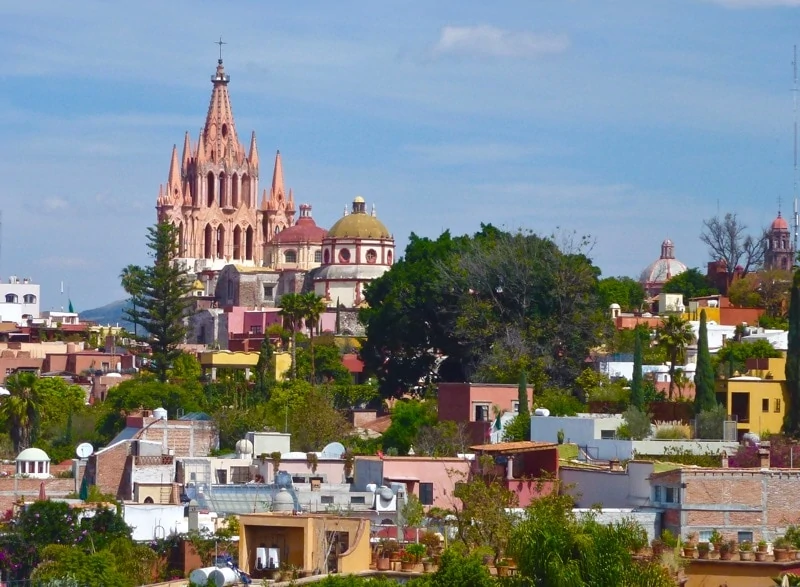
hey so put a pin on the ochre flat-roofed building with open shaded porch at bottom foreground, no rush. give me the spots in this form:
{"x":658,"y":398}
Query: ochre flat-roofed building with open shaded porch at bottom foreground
{"x":313,"y":543}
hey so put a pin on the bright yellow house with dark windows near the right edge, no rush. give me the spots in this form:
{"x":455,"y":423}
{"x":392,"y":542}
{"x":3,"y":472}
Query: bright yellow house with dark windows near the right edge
{"x":757,"y":400}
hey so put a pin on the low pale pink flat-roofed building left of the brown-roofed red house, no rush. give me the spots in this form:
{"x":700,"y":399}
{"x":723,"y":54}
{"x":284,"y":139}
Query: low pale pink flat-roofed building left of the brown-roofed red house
{"x":431,"y":479}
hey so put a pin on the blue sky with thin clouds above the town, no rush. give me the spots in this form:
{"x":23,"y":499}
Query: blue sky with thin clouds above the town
{"x":630,"y":121}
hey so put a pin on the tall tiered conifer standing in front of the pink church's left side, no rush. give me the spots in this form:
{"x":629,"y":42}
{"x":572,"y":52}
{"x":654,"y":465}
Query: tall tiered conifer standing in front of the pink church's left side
{"x":162,"y":290}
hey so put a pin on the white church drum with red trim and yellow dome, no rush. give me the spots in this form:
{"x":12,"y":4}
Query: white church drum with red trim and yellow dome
{"x":356,"y":250}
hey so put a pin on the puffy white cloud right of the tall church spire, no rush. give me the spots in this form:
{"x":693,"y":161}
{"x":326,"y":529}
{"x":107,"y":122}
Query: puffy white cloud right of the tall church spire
{"x":496,"y":42}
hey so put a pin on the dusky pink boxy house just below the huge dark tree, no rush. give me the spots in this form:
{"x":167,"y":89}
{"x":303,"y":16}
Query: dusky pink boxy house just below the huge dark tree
{"x":474,"y":403}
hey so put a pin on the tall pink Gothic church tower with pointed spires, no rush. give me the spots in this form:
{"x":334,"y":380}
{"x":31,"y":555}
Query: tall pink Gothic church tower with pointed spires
{"x":211,"y":193}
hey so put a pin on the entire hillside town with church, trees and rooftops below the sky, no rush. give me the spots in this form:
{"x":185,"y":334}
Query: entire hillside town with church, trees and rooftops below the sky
{"x":292,"y":400}
